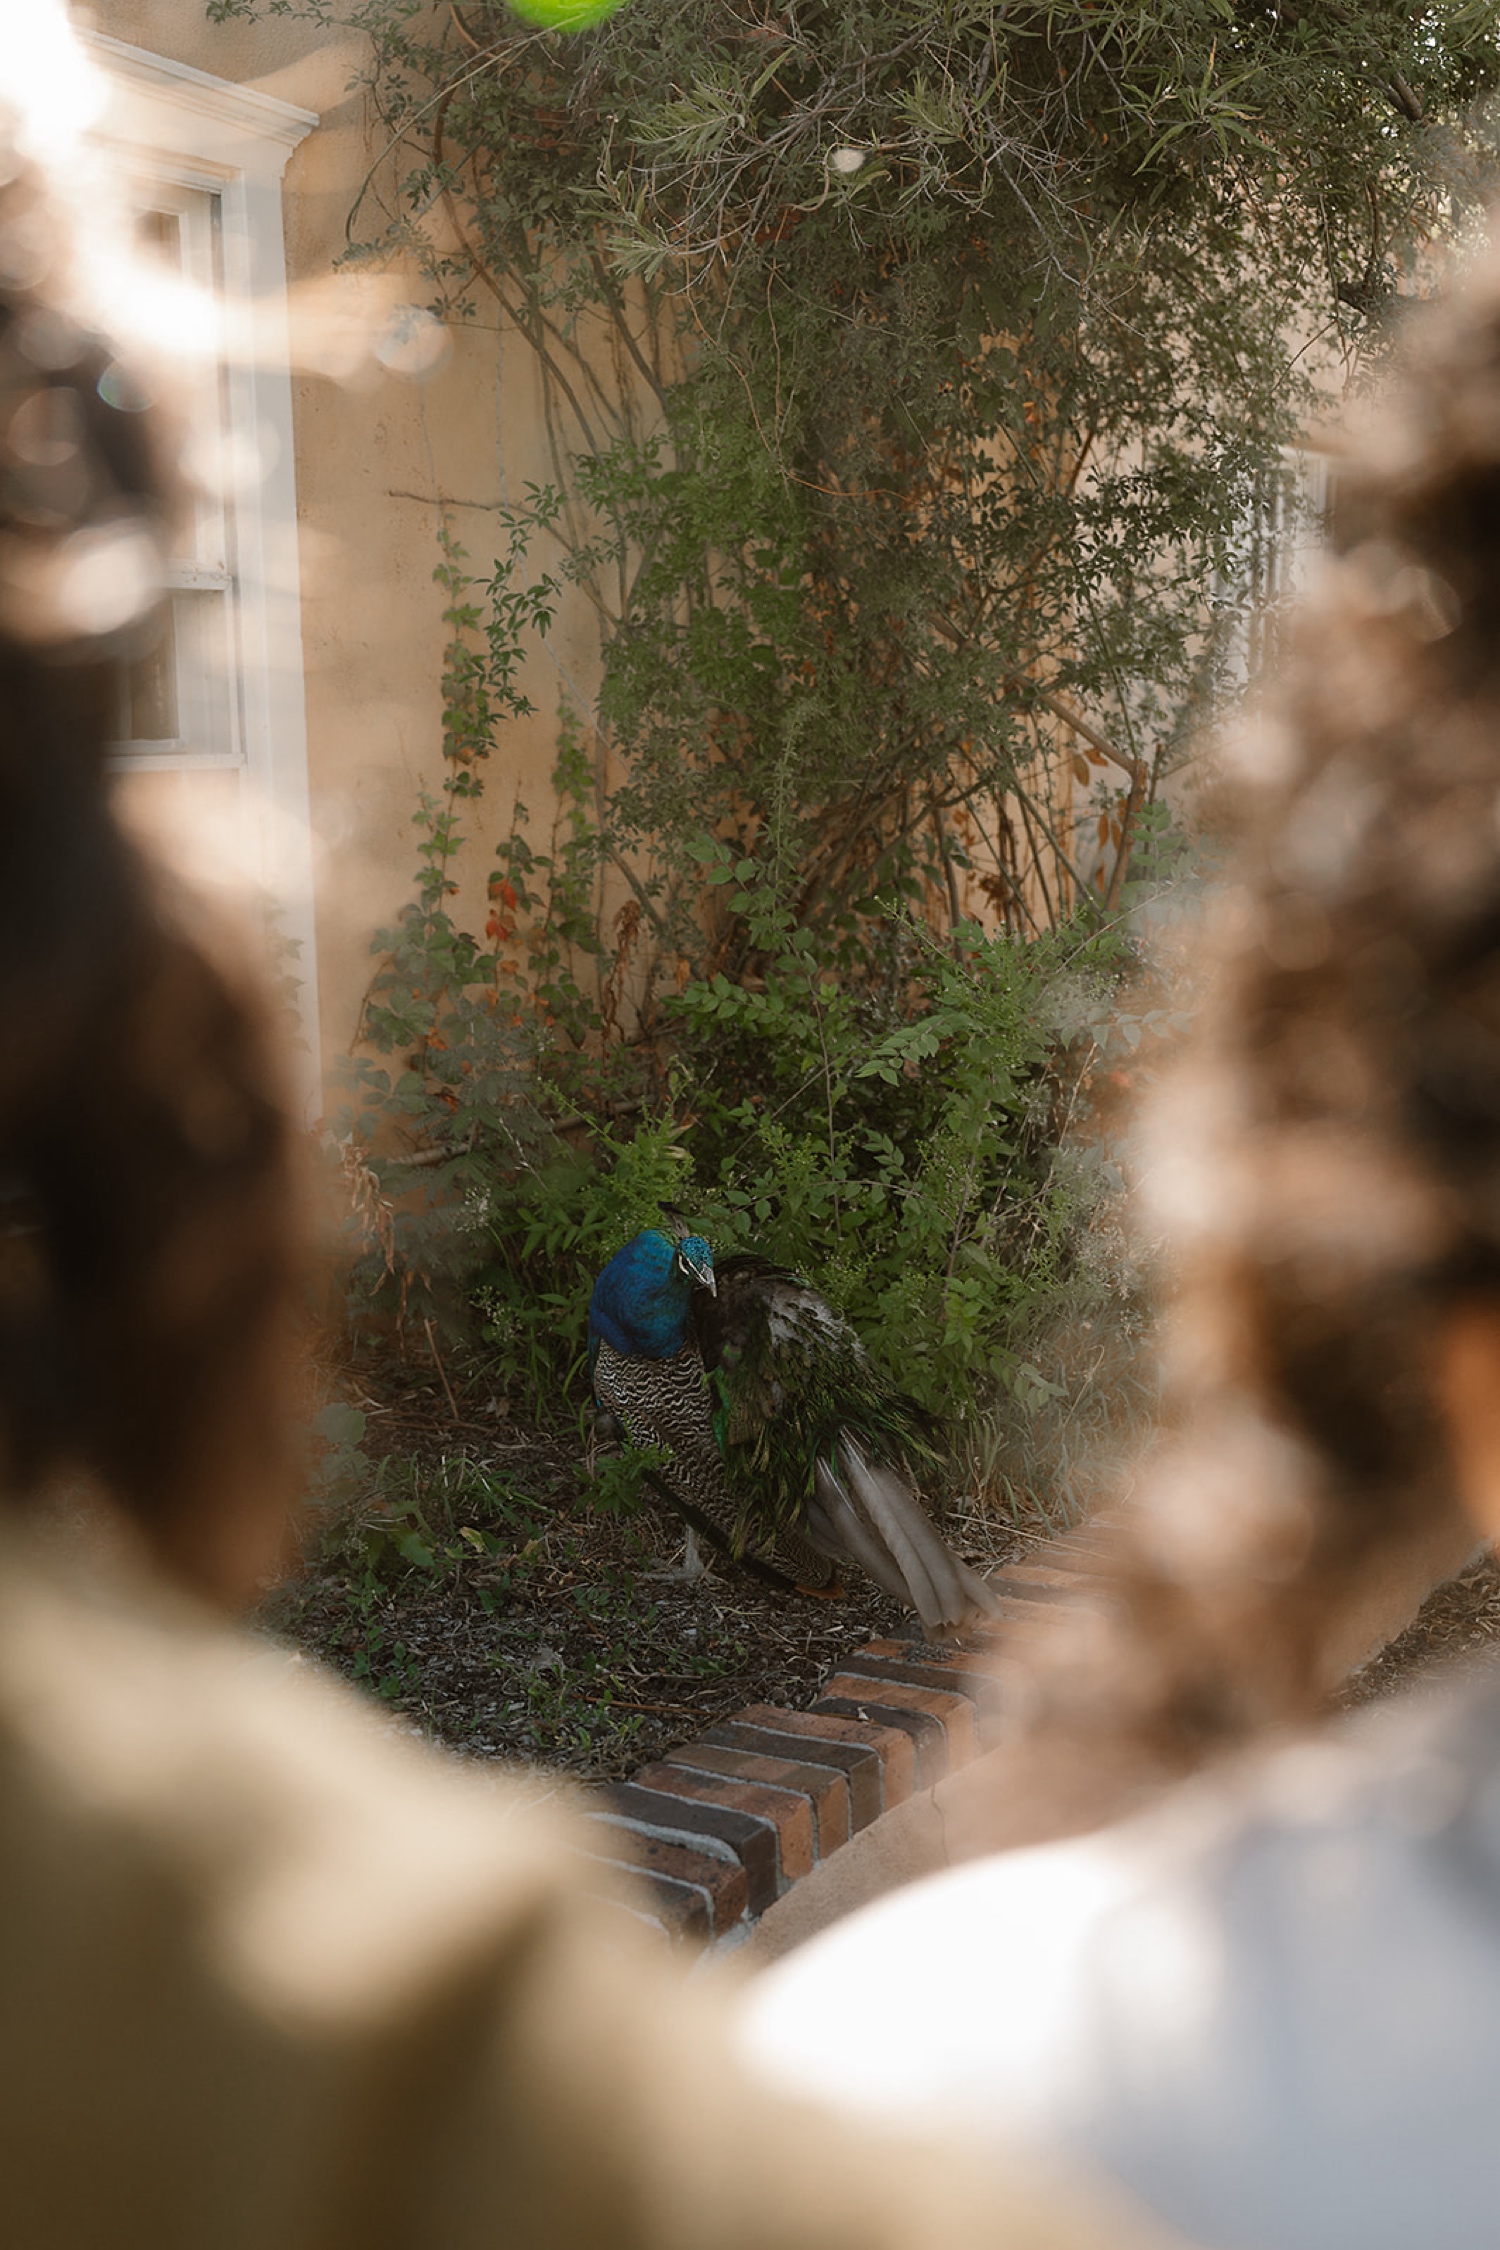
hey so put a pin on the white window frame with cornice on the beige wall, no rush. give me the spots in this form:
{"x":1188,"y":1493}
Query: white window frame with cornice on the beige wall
{"x":188,"y":129}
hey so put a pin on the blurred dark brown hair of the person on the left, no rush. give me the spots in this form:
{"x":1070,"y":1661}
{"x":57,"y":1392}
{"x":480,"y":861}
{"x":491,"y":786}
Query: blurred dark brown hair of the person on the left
{"x":147,"y":1232}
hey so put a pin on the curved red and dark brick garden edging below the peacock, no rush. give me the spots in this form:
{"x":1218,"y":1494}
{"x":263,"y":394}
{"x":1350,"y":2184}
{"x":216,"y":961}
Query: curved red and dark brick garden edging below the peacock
{"x":725,"y":1826}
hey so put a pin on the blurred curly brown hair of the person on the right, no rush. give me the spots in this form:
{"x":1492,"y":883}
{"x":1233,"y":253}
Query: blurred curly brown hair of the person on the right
{"x":1328,"y":1160}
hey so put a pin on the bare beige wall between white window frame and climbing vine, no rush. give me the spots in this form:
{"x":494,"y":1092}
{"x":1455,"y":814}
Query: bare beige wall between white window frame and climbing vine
{"x":372,"y":460}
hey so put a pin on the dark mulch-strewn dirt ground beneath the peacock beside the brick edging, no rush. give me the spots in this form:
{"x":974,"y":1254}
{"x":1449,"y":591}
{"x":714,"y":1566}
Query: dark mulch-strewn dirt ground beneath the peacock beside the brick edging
{"x":478,"y":1590}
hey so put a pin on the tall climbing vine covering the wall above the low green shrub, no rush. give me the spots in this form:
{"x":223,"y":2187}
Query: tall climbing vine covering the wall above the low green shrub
{"x":910,"y":379}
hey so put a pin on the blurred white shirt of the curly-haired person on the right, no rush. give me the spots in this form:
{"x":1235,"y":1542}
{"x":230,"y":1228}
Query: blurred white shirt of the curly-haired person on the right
{"x":1269,"y":2010}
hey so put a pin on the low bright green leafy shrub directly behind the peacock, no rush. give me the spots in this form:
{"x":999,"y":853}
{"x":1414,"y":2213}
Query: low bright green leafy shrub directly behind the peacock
{"x":914,"y":1151}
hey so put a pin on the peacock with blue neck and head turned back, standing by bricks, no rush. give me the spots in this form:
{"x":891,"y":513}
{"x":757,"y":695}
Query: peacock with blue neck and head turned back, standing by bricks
{"x":784,"y":1441}
